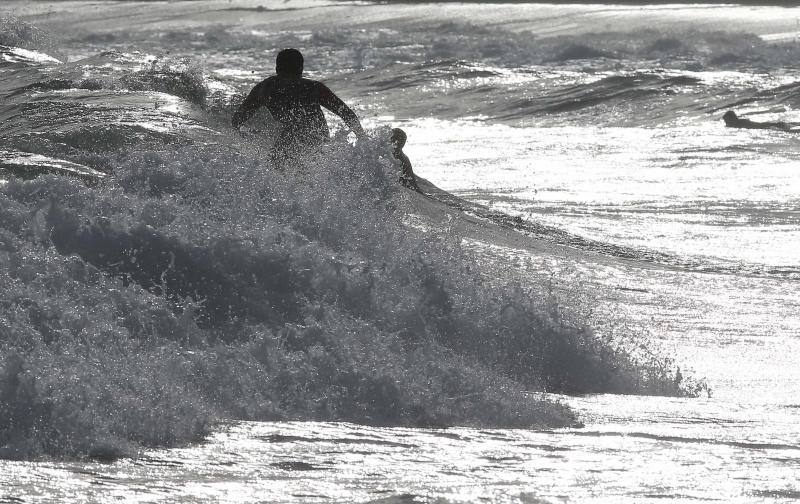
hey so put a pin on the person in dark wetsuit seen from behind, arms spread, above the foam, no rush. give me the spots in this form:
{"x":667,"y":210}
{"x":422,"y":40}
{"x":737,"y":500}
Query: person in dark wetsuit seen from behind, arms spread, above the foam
{"x":295,"y":103}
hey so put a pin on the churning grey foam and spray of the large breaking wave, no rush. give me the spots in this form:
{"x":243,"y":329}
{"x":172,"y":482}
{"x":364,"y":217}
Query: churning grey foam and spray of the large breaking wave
{"x":151,"y":355}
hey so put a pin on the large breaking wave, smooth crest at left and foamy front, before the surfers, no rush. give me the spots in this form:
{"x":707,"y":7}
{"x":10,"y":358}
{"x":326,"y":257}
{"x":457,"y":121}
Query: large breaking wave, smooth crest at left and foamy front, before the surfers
{"x":194,"y":283}
